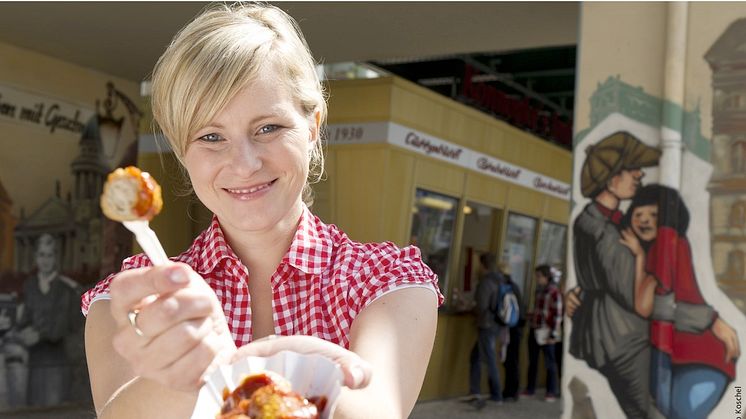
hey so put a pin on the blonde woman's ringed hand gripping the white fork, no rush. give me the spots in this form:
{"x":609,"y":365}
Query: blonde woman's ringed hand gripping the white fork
{"x":184,"y":331}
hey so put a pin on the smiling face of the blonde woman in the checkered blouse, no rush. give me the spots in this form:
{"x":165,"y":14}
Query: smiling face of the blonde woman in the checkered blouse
{"x":249,"y":165}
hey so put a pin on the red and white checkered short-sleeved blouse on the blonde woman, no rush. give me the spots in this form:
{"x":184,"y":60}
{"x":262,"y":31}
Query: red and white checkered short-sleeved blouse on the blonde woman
{"x":321,"y":285}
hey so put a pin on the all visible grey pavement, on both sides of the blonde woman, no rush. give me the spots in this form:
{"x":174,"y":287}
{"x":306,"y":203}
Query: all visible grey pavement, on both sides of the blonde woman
{"x":441,"y":409}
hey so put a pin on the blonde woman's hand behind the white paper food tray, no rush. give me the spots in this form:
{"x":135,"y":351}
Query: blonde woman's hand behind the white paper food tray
{"x":357,"y":372}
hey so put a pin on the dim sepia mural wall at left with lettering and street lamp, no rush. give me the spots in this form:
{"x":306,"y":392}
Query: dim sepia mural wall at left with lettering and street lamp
{"x":62,"y":128}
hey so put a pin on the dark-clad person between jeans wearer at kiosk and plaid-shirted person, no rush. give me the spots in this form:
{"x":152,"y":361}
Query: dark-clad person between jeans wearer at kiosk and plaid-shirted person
{"x":515,"y":334}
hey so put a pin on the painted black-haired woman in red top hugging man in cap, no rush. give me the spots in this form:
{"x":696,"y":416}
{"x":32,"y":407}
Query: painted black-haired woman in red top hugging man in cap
{"x":694,"y":352}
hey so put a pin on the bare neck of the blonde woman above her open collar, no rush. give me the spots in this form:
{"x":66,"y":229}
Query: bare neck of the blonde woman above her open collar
{"x":262,"y":251}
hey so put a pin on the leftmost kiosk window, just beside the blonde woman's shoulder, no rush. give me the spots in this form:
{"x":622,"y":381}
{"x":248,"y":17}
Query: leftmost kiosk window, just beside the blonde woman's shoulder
{"x":433,"y":220}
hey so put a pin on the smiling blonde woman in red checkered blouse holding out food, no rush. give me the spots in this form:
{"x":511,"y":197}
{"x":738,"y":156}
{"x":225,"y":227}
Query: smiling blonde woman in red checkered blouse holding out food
{"x":237,"y":95}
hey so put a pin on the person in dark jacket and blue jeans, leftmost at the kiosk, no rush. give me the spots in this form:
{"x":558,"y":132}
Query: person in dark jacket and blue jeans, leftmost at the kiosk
{"x":486,"y":296}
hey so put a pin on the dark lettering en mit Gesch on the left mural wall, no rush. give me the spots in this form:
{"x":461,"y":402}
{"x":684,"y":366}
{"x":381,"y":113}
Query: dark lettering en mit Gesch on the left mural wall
{"x":53,"y":115}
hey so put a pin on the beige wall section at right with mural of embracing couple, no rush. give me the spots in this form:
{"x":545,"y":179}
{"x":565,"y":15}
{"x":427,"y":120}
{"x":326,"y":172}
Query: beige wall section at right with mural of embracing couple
{"x":655,"y":252}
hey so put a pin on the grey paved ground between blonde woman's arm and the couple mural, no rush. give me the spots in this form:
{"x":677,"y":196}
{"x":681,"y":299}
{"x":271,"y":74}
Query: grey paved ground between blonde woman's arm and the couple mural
{"x":454,"y":409}
